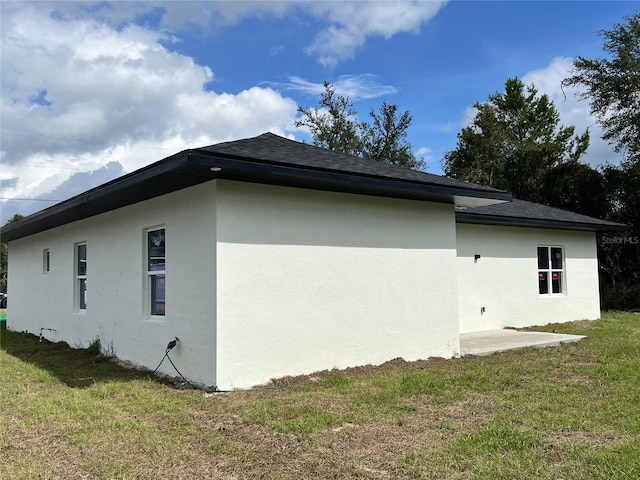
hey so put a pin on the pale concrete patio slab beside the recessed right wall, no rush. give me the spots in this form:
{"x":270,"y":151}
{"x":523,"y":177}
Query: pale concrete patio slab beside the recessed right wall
{"x":490,"y":341}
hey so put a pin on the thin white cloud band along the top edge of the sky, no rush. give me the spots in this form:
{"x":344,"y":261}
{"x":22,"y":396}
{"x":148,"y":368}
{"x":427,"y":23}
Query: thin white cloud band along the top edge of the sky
{"x":347,"y":24}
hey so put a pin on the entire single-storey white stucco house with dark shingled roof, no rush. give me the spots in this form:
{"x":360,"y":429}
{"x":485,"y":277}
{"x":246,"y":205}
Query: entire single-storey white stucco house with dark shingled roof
{"x":267,"y":257}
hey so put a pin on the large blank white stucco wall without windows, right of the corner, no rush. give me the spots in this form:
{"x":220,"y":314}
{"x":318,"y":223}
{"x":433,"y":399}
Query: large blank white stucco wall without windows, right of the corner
{"x":311,"y":280}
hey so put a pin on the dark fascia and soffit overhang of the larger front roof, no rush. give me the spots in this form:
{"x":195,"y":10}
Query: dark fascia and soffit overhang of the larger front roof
{"x":192,"y":167}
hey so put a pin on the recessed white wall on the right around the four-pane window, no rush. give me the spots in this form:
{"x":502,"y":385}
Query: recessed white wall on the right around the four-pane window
{"x":504,"y":280}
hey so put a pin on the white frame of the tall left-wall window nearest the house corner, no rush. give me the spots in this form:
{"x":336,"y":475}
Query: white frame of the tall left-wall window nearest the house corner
{"x":155,"y":277}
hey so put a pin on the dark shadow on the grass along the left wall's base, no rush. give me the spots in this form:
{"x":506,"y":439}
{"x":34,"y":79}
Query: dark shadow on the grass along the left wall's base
{"x":76,"y":368}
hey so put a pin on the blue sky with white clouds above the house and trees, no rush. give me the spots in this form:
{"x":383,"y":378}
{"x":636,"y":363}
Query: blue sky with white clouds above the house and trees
{"x":109,"y":87}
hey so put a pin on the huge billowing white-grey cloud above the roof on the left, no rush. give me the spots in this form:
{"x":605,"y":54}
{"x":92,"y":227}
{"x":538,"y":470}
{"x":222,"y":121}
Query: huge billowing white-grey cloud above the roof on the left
{"x":91,"y":94}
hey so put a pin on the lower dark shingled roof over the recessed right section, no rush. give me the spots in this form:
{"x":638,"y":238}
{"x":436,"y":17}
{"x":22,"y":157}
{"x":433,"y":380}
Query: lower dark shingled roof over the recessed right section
{"x":528,"y":214}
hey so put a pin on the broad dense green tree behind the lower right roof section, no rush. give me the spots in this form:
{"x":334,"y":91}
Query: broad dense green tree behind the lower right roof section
{"x":513,"y":142}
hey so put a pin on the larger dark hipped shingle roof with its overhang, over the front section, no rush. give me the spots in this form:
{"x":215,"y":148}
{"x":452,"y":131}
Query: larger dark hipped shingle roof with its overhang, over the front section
{"x":267,"y":159}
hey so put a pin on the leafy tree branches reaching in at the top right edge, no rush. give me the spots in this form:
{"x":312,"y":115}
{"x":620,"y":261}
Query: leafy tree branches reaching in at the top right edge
{"x":612,"y":86}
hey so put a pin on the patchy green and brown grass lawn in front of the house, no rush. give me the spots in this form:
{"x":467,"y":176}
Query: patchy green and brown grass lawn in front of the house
{"x":569,"y":412}
